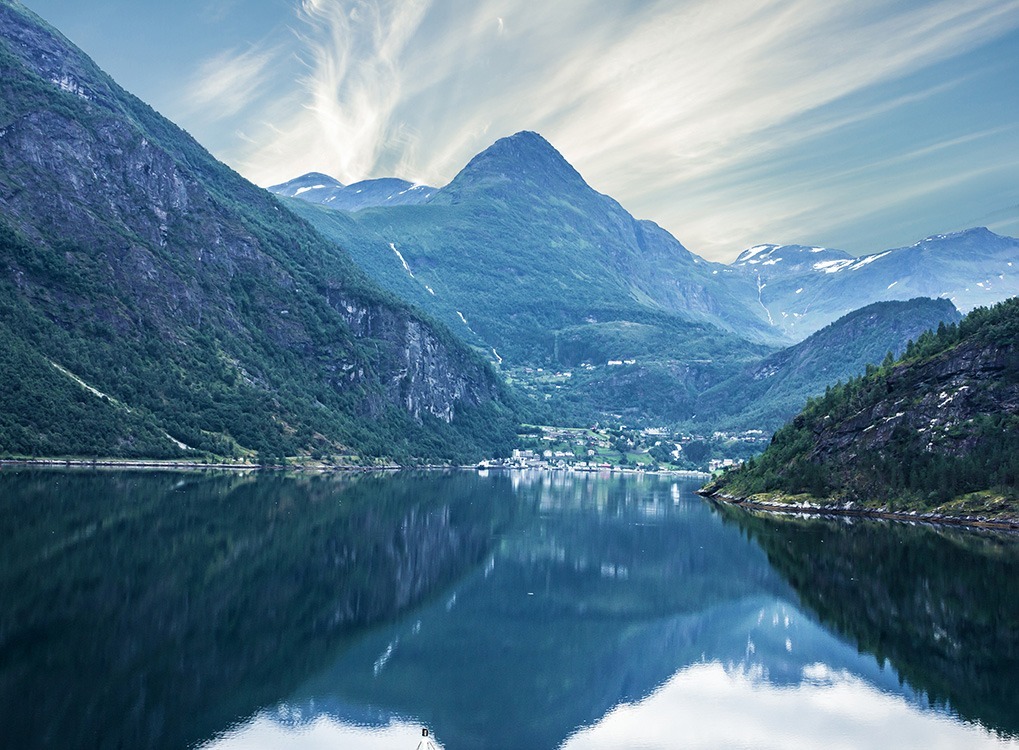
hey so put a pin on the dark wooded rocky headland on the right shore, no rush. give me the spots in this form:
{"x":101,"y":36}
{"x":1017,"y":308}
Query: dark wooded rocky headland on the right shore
{"x":938,"y":428}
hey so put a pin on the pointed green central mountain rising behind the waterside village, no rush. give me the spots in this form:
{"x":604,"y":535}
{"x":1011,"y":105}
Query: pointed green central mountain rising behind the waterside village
{"x":529,"y":264}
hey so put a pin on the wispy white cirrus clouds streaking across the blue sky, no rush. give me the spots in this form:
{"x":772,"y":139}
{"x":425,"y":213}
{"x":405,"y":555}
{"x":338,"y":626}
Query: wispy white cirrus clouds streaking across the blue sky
{"x":672,"y":109}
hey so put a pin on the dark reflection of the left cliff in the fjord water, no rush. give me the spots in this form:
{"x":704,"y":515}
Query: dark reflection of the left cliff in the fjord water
{"x":157,"y":610}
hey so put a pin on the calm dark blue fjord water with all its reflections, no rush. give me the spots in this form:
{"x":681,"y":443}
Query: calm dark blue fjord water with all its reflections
{"x":538,"y":611}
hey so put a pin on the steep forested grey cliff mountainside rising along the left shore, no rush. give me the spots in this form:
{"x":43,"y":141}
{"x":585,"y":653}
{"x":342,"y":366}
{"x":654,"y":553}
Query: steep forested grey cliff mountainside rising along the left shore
{"x":159,"y":278}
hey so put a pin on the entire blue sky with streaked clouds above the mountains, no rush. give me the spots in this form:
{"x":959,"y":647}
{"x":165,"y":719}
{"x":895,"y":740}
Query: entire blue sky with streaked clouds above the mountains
{"x":862,"y":126}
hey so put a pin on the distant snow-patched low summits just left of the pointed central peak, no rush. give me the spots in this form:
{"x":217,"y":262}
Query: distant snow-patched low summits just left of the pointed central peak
{"x":321,"y":189}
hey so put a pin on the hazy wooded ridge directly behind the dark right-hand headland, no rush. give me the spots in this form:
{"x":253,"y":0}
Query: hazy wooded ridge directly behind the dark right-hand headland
{"x":769,"y":393}
